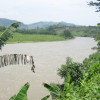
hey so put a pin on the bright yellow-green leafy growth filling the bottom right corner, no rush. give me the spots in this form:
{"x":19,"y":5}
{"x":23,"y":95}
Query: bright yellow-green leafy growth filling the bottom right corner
{"x":90,"y":85}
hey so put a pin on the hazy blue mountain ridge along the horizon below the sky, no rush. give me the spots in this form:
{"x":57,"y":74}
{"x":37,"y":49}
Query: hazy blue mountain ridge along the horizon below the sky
{"x":41,"y":24}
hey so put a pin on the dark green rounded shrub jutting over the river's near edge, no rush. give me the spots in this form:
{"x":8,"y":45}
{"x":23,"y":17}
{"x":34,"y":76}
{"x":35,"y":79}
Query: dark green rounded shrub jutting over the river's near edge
{"x":73,"y":68}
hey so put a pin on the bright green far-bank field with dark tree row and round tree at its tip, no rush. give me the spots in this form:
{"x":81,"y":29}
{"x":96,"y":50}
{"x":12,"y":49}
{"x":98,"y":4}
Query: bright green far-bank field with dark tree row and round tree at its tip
{"x":24,"y":35}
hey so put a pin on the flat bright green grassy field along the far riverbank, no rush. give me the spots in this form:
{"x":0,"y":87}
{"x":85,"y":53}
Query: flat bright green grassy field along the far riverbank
{"x":18,"y":37}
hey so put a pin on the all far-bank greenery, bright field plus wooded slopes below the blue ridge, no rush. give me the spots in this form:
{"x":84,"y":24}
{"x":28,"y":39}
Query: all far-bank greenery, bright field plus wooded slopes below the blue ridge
{"x":52,"y":33}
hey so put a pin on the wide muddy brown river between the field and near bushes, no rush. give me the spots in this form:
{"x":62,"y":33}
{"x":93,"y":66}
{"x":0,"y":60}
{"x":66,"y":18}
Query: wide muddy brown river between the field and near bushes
{"x":48,"y":57}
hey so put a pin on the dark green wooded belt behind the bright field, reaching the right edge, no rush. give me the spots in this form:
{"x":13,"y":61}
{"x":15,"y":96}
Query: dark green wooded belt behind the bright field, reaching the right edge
{"x":62,"y":30}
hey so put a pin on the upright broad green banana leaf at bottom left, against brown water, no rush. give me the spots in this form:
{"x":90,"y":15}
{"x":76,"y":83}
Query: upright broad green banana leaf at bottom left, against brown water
{"x":22,"y":95}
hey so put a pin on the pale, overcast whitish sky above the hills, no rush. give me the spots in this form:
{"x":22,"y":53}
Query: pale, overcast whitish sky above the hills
{"x":31,"y":11}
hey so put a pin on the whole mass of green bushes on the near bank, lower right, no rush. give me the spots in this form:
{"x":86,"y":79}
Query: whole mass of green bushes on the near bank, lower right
{"x":89,"y":87}
